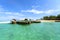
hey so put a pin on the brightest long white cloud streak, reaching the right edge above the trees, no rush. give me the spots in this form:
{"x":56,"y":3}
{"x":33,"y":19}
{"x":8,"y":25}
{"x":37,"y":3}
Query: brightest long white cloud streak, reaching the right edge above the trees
{"x":40,"y":12}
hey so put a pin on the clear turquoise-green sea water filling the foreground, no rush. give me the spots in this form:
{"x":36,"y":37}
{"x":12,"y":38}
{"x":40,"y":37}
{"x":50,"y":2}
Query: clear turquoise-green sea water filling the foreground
{"x":36,"y":31}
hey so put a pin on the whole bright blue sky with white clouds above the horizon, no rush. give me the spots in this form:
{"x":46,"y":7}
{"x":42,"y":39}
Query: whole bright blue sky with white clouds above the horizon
{"x":33,"y":9}
